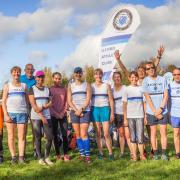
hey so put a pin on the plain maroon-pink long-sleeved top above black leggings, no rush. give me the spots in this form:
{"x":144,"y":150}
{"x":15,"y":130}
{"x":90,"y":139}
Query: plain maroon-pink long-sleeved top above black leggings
{"x":59,"y":101}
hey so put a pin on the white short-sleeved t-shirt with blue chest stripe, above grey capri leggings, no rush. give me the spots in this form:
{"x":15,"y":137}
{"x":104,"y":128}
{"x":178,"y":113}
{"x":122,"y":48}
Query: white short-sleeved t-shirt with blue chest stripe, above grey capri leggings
{"x":133,"y":95}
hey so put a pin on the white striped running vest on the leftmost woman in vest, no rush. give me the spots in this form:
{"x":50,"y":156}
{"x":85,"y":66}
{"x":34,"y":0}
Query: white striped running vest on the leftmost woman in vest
{"x":16,"y":101}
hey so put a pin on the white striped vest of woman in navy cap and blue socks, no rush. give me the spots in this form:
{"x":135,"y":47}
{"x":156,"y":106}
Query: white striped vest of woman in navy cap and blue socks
{"x":79,"y":93}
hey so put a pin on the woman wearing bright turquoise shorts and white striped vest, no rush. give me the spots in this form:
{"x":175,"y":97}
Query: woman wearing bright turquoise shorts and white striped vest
{"x":102,"y":111}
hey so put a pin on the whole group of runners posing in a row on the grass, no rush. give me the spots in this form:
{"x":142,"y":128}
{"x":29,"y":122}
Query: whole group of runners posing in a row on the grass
{"x":148,"y":101}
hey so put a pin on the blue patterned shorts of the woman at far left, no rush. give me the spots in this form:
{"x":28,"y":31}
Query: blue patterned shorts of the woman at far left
{"x":19,"y":118}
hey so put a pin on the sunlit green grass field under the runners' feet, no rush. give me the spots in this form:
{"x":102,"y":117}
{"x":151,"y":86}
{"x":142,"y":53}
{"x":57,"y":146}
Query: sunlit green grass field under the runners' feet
{"x":118,"y":169}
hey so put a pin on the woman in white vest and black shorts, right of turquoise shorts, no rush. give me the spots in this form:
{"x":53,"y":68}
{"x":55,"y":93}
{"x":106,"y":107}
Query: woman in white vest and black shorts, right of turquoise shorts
{"x":118,"y":91}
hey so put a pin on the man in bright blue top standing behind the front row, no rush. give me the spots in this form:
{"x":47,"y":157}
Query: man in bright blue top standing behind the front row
{"x":29,"y":79}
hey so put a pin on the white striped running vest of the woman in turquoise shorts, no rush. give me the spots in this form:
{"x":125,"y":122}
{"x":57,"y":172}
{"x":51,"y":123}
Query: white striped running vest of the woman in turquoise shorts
{"x":100,"y":95}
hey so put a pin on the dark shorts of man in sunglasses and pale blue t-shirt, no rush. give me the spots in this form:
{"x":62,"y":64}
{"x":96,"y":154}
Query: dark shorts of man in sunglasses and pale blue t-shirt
{"x":152,"y":120}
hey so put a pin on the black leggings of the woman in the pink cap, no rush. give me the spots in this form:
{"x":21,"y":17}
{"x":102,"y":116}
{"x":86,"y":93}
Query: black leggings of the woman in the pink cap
{"x":37,"y":127}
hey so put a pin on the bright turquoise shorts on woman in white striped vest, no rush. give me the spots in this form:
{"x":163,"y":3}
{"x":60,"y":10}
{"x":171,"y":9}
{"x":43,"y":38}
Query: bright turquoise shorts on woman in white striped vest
{"x":100,"y":114}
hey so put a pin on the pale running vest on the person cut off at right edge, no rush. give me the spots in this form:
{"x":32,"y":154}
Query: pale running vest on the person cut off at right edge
{"x":174,"y":92}
